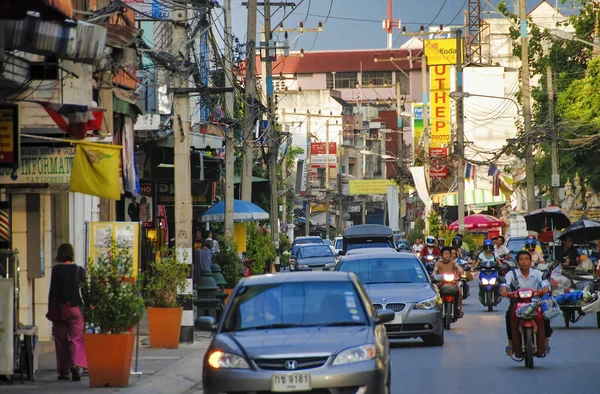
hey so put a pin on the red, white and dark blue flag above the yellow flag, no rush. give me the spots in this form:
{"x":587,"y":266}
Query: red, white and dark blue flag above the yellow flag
{"x":75,"y":120}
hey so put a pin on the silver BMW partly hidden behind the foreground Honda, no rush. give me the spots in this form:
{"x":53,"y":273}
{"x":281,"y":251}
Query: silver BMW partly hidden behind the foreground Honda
{"x":398,"y":281}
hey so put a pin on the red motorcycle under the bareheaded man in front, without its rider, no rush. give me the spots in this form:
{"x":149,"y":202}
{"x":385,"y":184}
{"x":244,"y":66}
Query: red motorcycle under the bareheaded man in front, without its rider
{"x":527,"y":324}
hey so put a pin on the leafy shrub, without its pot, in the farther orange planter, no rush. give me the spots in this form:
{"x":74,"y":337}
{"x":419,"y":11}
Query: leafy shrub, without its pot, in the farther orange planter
{"x":165,"y":280}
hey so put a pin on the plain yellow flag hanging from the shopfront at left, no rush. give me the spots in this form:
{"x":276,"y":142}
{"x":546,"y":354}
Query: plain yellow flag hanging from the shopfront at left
{"x":96,"y":170}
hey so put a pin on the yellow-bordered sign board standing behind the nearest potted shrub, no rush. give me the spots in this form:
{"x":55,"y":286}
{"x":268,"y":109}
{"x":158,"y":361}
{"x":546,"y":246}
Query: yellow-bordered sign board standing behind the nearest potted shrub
{"x":125,"y":234}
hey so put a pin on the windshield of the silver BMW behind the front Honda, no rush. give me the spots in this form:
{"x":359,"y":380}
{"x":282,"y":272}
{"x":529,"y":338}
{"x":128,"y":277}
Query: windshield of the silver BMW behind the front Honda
{"x":372,"y":270}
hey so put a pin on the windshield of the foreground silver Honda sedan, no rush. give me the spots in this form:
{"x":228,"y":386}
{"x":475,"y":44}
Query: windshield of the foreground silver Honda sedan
{"x":295,"y":304}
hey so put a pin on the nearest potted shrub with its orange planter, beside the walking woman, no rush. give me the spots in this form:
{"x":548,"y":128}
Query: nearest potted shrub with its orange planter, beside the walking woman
{"x":112,"y":307}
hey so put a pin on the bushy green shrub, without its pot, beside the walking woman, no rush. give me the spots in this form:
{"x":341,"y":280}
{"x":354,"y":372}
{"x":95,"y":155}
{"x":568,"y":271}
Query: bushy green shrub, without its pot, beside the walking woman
{"x":112,"y":300}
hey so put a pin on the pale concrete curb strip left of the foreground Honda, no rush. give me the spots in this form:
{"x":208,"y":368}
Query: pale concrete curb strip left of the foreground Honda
{"x":179,"y":377}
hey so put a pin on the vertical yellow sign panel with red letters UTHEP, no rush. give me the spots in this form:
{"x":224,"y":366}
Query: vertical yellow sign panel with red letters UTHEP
{"x":440,"y":106}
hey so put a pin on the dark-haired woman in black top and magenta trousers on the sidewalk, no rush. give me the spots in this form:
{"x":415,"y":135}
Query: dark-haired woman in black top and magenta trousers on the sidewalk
{"x":64,"y":302}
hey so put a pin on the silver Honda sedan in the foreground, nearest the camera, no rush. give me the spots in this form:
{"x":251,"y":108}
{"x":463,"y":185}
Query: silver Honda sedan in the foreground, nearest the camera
{"x":307,"y":332}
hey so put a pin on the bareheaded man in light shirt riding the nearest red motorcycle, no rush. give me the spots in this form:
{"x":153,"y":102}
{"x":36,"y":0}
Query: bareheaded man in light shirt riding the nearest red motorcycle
{"x":524,"y":277}
